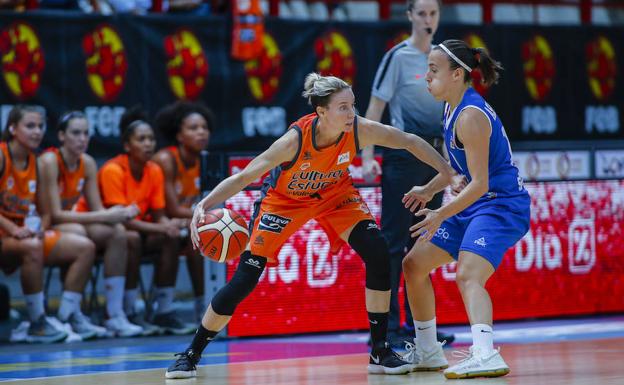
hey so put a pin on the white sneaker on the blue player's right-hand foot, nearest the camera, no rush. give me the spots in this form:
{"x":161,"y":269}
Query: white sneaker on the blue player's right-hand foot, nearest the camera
{"x":476,"y":363}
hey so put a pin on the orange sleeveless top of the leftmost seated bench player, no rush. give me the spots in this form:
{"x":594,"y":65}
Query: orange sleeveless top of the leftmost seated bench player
{"x":17,"y":187}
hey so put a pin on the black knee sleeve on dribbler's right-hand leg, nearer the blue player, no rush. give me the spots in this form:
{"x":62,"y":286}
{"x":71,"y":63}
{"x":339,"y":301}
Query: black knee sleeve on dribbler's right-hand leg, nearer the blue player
{"x":367,"y":241}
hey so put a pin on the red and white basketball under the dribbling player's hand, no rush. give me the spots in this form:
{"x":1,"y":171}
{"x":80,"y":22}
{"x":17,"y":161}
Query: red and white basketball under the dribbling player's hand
{"x":223,"y":235}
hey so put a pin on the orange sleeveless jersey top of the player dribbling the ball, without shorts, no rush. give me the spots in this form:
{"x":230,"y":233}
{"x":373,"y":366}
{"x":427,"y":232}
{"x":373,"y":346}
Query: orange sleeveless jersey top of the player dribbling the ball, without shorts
{"x":314,"y":173}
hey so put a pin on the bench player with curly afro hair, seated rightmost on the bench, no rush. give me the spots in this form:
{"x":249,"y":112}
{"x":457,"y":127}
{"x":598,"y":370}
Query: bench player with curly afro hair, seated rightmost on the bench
{"x":187,"y":127}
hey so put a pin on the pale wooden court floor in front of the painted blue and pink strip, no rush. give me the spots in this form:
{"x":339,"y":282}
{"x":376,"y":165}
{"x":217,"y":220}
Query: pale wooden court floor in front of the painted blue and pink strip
{"x":586,"y":362}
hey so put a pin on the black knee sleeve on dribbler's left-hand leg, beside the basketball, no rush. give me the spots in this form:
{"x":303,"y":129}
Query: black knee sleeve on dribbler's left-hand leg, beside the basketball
{"x":243,"y":282}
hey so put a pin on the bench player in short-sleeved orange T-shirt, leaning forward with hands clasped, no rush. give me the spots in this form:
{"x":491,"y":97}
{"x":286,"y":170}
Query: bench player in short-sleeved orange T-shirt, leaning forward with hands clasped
{"x":133,"y":179}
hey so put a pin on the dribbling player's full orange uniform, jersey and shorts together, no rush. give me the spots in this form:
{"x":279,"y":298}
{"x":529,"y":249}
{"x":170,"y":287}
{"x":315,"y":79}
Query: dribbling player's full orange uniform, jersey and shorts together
{"x":315,"y":185}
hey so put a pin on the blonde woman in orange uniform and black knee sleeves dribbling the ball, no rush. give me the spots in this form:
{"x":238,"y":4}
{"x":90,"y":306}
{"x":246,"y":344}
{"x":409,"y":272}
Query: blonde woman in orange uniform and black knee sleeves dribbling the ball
{"x":310,"y":180}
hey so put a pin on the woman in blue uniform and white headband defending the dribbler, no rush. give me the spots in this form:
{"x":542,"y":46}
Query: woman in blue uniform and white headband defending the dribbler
{"x":476,"y":228}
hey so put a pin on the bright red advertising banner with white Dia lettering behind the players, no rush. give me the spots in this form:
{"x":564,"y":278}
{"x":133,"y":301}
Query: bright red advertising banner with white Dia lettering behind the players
{"x":571,"y":262}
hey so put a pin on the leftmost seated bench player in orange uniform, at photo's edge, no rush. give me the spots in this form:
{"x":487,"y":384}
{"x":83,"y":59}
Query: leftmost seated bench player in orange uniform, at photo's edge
{"x":20,"y":193}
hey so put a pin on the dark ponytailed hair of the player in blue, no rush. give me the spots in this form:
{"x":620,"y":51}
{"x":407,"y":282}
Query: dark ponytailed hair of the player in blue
{"x":474,"y":58}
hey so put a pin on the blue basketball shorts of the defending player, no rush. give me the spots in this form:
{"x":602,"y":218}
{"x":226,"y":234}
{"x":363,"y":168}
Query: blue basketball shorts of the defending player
{"x":488,"y":233}
